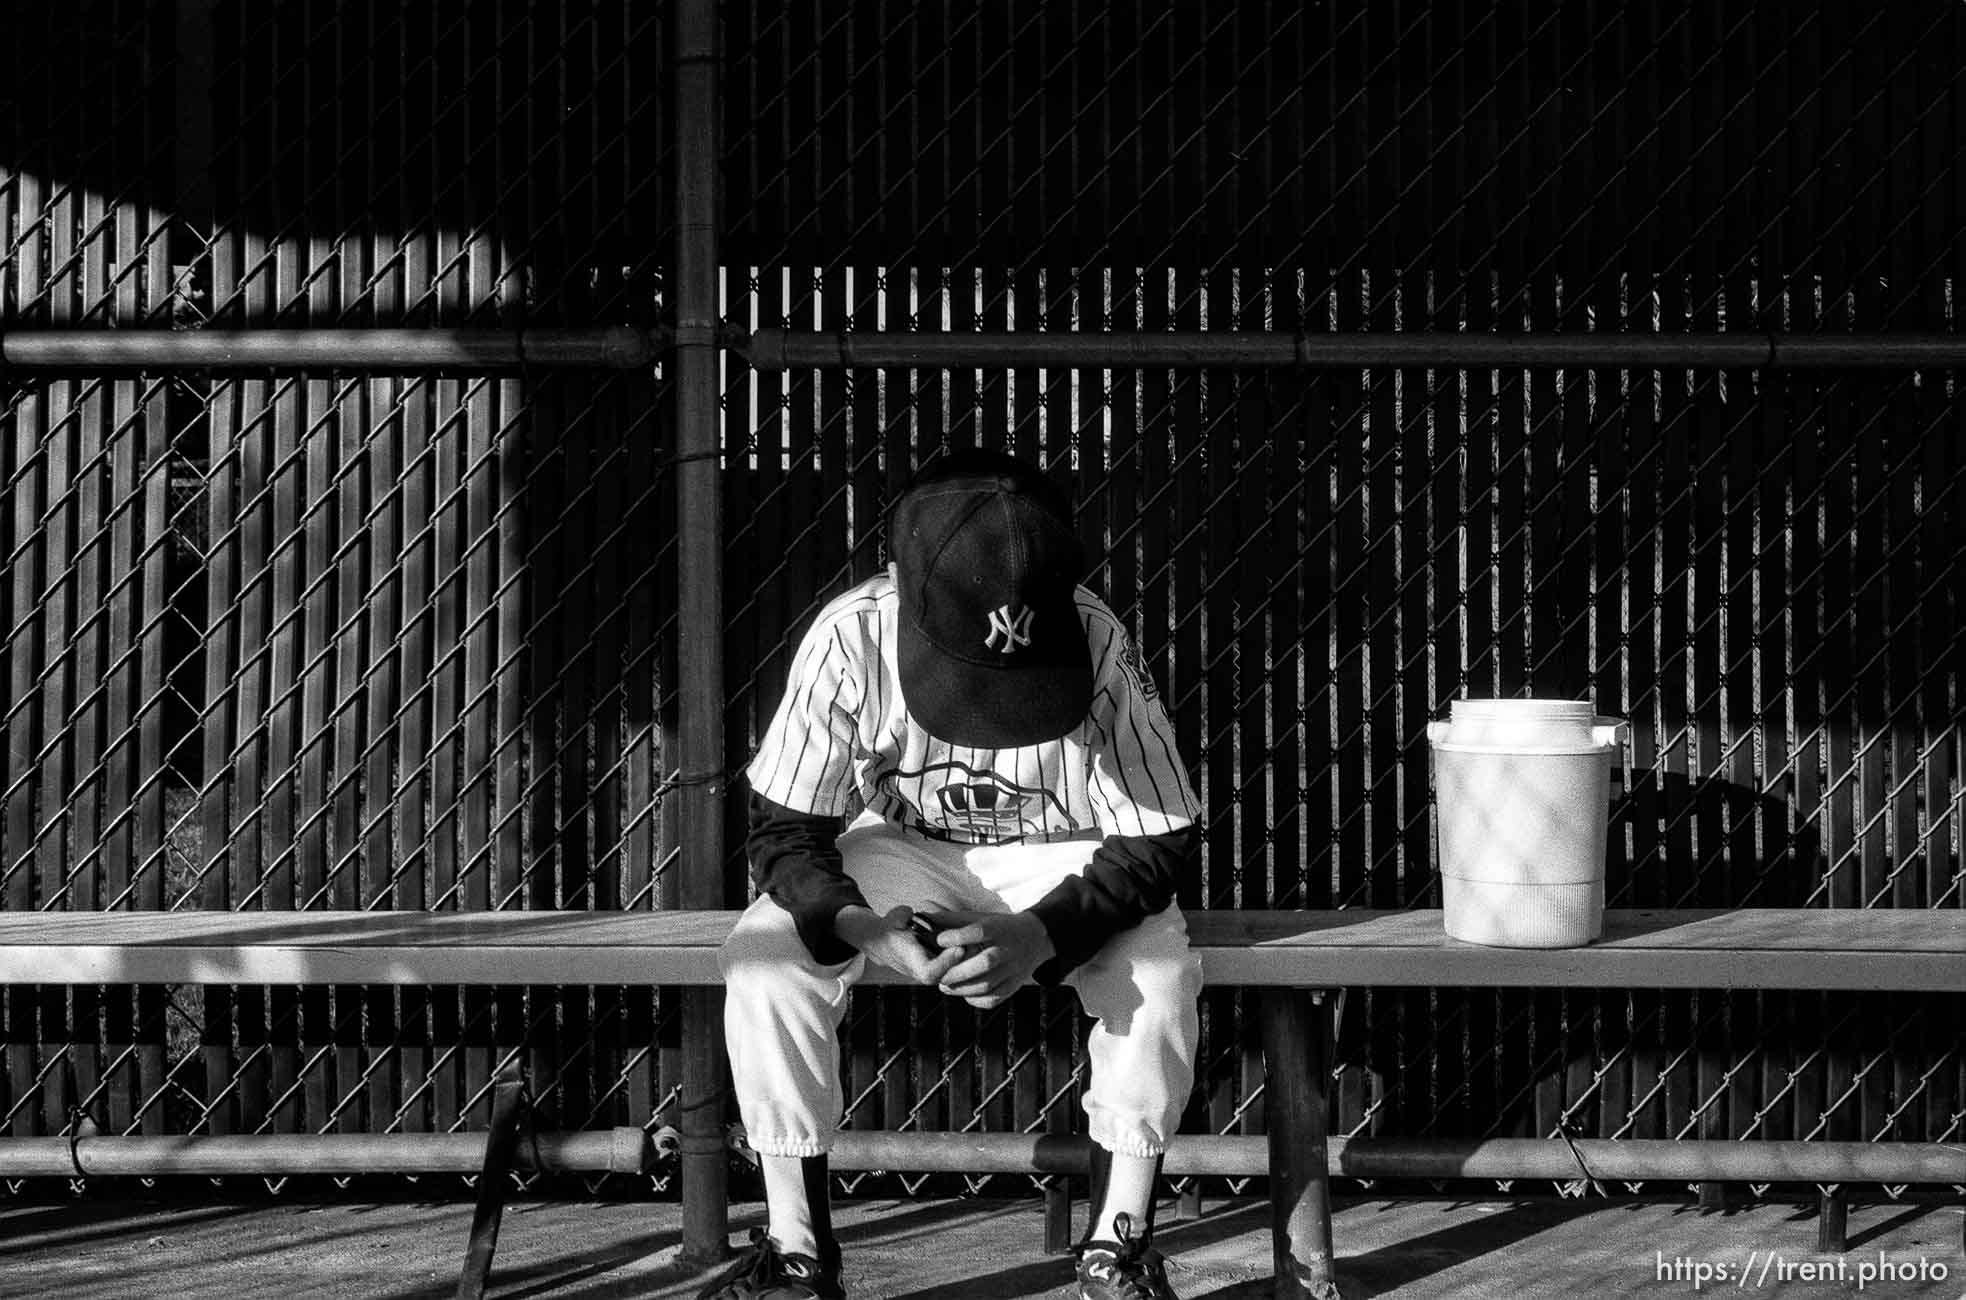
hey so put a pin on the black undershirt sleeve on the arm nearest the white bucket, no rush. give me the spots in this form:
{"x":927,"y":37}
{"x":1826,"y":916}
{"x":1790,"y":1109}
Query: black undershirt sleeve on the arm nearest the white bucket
{"x":1129,"y":880}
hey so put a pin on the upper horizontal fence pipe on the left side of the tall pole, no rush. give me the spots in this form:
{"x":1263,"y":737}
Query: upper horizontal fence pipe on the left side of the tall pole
{"x":382,"y":349}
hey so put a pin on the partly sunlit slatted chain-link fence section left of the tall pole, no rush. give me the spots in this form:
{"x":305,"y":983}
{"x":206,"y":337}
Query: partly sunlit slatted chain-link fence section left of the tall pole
{"x":333,"y":638}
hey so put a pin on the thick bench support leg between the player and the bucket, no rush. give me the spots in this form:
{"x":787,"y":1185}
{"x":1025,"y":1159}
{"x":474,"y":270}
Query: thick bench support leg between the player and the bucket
{"x":1297,"y":1045}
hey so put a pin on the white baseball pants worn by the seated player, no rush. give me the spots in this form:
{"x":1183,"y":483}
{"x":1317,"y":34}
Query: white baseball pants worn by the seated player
{"x":783,"y":1010}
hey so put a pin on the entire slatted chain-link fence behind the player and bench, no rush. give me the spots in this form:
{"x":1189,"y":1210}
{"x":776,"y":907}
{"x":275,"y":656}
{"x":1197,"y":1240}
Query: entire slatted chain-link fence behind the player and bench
{"x":404,"y":642}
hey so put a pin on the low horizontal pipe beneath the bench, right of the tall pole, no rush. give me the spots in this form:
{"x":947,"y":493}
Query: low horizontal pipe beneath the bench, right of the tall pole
{"x":1377,"y":1157}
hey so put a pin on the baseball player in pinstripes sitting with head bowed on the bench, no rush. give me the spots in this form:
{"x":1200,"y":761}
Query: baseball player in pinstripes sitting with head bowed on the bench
{"x":1017,"y":813}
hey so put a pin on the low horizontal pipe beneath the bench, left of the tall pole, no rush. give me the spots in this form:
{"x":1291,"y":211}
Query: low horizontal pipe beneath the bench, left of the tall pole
{"x":597,"y":1152}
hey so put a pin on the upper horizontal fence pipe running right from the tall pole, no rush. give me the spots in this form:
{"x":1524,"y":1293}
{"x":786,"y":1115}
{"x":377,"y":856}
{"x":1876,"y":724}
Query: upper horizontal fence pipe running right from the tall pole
{"x":1259,"y":349}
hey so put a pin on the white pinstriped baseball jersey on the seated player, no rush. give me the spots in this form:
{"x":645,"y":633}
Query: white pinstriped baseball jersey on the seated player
{"x":842,"y":731}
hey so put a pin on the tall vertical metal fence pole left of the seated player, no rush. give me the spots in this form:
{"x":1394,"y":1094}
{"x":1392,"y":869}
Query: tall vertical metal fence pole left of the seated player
{"x":693,"y":288}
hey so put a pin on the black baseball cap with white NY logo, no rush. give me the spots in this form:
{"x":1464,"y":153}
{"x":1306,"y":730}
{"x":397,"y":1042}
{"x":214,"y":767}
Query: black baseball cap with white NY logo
{"x":992,"y":650}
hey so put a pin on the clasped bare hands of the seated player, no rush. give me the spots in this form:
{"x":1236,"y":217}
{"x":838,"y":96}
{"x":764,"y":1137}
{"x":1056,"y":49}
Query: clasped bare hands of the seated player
{"x":978,"y":957}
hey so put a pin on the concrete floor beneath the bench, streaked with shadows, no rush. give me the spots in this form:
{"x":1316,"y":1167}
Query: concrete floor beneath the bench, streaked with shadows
{"x":984,"y":1250}
